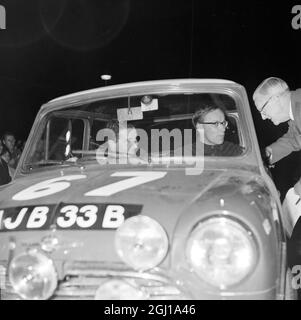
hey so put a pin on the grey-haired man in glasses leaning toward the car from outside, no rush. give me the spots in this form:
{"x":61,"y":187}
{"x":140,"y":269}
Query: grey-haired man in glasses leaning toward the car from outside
{"x":276,"y":102}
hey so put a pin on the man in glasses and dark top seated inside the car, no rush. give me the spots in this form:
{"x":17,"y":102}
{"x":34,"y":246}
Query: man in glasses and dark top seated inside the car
{"x":210,"y":122}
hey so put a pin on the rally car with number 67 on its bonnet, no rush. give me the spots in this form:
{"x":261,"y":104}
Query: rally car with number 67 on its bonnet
{"x":79,"y":223}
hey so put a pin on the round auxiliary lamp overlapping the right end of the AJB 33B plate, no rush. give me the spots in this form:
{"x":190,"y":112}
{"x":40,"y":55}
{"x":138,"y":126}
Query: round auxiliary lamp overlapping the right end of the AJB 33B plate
{"x":141,"y":242}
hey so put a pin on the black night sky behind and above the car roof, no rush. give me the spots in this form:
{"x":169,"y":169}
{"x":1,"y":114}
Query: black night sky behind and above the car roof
{"x":55,"y":47}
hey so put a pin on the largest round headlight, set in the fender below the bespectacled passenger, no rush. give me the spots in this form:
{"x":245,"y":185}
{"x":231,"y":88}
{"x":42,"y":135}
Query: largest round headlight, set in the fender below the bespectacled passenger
{"x":221,"y":251}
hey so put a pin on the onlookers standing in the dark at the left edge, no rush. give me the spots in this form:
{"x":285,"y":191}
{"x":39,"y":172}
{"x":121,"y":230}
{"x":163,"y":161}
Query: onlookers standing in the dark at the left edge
{"x":10,"y":152}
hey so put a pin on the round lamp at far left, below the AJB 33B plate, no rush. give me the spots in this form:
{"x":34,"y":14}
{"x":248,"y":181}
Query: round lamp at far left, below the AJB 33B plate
{"x":33,"y":275}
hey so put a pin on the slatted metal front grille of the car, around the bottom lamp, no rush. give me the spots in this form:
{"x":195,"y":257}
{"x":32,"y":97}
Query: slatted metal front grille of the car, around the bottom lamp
{"x":82,"y":279}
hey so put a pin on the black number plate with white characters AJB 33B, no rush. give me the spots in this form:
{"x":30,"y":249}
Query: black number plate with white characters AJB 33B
{"x":67,"y":216}
